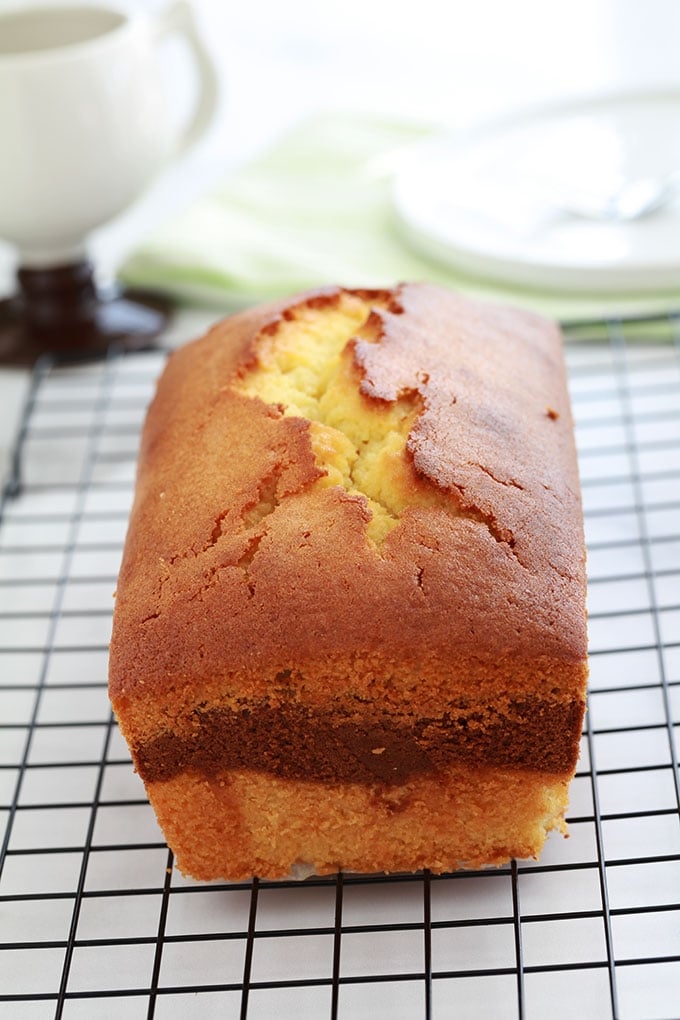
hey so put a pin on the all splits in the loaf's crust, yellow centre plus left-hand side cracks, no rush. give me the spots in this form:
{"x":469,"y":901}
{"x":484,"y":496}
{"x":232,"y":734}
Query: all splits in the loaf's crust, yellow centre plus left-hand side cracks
{"x":303,"y":366}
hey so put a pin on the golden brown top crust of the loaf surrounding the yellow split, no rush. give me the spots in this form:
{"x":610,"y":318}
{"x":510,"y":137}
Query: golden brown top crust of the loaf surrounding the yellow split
{"x":310,"y":586}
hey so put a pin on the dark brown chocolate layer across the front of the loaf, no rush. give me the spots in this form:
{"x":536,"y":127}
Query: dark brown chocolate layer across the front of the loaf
{"x":295,"y":743}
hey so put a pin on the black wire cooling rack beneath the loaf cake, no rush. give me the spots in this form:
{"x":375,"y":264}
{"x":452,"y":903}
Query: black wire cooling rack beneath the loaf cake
{"x":96,"y":924}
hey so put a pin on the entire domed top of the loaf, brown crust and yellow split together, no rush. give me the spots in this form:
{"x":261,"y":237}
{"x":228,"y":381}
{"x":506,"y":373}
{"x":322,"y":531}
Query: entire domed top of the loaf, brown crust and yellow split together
{"x":352,"y":479}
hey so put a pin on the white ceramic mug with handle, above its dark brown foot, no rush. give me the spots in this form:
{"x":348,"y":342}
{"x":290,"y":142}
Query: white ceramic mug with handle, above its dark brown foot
{"x":85,"y":123}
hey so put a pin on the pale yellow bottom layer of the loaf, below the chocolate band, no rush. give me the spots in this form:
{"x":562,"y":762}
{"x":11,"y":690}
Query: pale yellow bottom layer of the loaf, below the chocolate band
{"x":241,"y":824}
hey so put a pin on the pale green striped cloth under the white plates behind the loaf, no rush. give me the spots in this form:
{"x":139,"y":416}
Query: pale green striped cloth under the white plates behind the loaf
{"x":317,"y":210}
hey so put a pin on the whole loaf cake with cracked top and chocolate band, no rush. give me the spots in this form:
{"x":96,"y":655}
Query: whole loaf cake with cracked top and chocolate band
{"x":350,"y":626}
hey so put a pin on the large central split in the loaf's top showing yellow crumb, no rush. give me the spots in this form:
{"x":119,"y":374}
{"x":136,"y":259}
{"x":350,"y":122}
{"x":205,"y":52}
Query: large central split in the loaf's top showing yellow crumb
{"x":305,"y":366}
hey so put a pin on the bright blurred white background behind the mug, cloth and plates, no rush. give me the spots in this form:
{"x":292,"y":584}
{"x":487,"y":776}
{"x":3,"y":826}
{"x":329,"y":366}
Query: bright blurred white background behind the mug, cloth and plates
{"x":458,"y":63}
